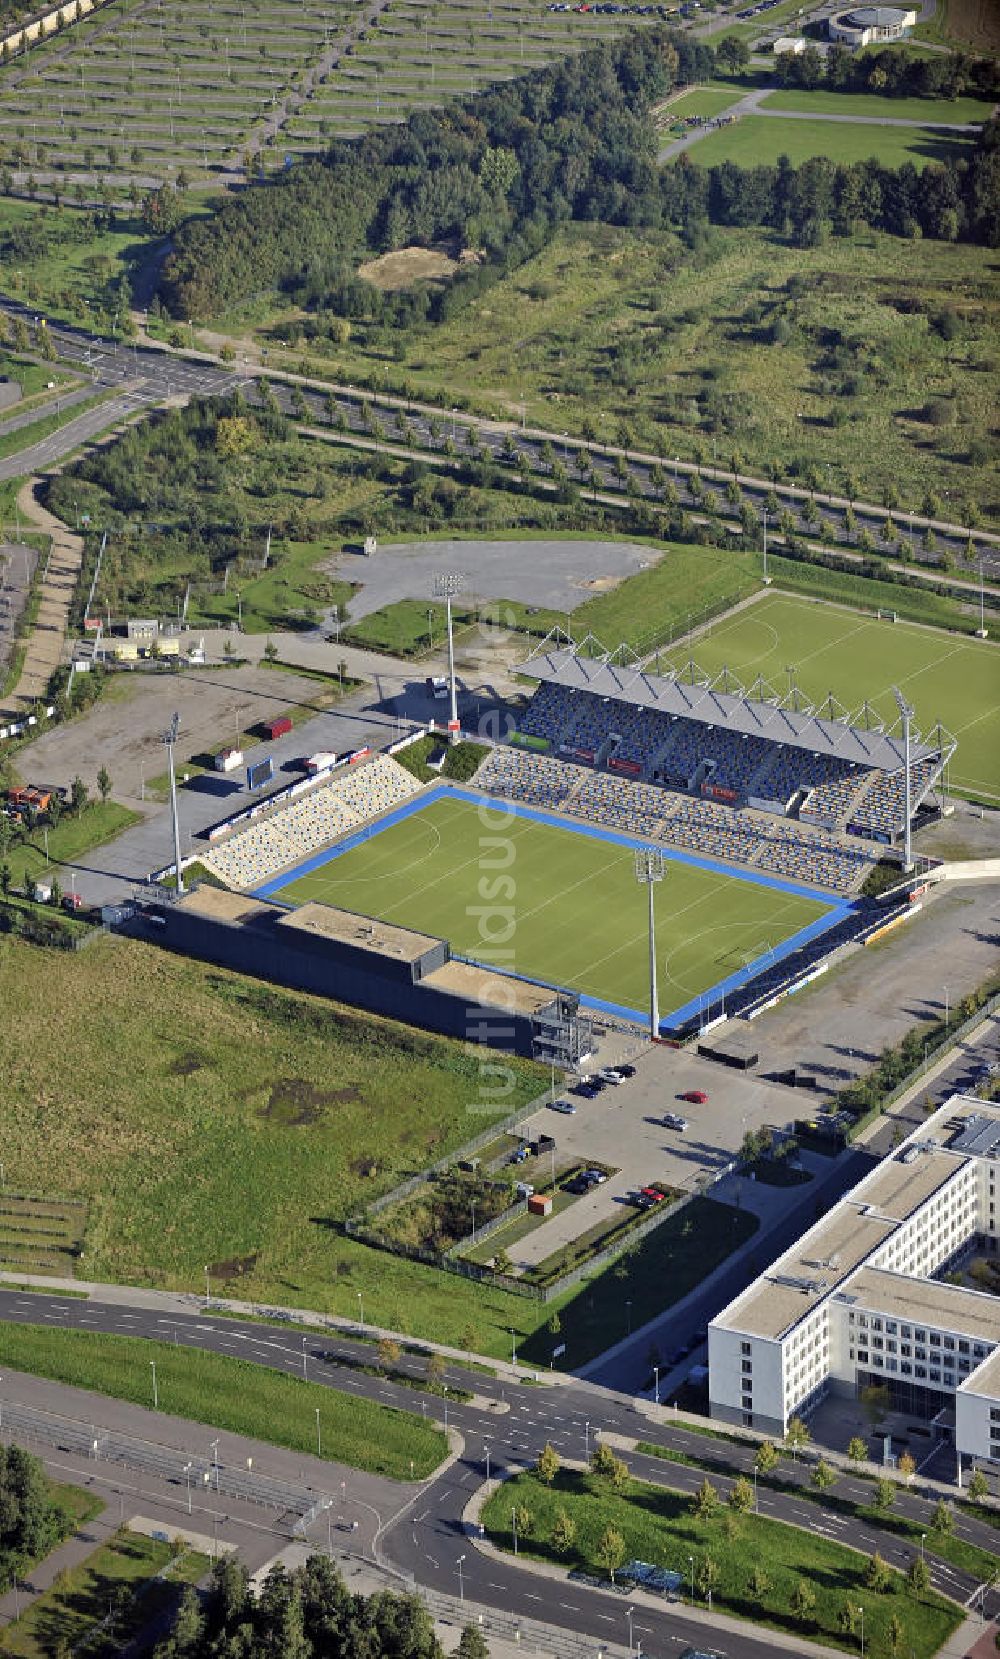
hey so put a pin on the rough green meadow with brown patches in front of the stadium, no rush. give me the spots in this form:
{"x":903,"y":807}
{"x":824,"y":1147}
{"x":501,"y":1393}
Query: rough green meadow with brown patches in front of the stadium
{"x":243,"y":1132}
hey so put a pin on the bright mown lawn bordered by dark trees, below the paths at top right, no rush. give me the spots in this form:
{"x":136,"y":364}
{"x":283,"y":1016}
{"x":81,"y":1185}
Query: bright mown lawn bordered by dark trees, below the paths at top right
{"x":760,"y":140}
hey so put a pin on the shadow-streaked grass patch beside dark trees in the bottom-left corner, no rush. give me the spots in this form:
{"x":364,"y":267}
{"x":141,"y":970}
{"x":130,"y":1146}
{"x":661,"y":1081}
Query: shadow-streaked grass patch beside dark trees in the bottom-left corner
{"x":79,"y":1600}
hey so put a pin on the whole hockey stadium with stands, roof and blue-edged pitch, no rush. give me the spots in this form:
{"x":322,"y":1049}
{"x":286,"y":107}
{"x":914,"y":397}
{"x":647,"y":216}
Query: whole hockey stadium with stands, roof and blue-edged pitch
{"x":520,"y":887}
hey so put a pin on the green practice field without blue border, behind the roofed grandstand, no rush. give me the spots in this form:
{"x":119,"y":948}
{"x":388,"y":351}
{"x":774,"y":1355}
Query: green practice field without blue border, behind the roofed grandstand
{"x":832,"y":649}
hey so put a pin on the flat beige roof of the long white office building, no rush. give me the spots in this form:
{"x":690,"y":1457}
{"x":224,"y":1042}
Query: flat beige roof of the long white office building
{"x":832,"y":1253}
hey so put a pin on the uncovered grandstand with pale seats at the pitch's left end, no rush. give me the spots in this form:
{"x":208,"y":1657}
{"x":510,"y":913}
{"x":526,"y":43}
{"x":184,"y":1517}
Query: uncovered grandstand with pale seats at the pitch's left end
{"x":296,"y":829}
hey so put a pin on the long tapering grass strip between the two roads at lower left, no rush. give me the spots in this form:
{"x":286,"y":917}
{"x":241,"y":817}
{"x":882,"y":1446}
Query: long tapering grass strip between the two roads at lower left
{"x":233,"y":1394}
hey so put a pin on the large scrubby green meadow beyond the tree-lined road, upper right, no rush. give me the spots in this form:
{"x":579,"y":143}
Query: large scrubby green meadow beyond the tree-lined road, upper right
{"x":795,"y":358}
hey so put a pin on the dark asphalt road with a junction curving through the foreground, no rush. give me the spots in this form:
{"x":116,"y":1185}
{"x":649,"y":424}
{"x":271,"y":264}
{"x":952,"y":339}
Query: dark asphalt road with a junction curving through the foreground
{"x":515,"y":1423}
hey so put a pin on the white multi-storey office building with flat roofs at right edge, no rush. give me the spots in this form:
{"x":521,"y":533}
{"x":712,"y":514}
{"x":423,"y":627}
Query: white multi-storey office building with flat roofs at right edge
{"x":860,"y":1300}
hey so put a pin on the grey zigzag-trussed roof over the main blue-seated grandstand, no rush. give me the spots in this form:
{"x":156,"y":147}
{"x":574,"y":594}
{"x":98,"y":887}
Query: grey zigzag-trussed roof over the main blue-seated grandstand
{"x":745,"y":716}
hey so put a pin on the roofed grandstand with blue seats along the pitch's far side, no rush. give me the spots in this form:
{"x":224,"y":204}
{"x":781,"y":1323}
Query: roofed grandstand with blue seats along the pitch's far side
{"x":717,"y":742}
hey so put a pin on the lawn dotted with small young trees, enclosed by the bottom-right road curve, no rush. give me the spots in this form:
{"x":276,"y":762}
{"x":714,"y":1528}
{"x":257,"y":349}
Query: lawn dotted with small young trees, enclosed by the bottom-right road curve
{"x":658,"y":1525}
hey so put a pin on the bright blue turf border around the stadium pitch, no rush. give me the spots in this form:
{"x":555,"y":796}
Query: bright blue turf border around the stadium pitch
{"x":837,"y":910}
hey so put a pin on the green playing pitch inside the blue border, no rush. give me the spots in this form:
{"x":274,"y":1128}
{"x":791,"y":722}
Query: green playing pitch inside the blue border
{"x":570,"y":910}
